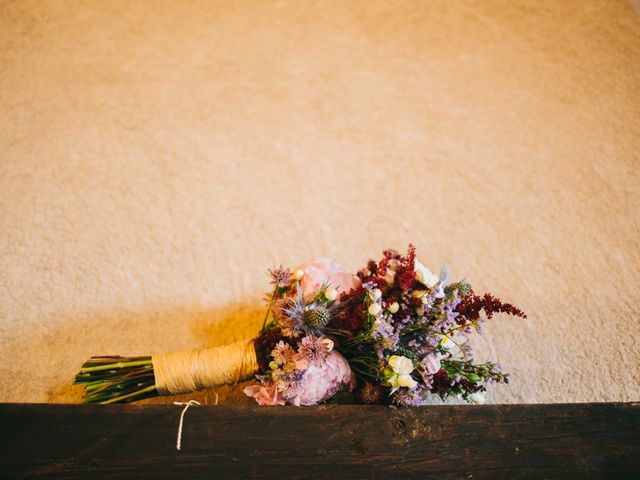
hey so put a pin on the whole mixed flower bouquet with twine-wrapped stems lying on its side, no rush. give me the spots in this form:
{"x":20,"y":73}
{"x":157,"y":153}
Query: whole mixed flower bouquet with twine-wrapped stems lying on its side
{"x":394,"y":333}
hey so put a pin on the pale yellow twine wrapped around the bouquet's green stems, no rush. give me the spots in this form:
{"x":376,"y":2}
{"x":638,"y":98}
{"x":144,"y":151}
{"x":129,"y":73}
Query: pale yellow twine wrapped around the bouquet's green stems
{"x":190,"y":370}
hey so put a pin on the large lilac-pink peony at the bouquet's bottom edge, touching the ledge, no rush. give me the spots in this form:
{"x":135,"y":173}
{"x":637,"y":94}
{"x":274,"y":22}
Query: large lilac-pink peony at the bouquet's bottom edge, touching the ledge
{"x":321,"y":383}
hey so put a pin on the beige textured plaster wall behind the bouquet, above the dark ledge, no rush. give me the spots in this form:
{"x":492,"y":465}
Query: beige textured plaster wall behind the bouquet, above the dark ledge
{"x":157,"y":157}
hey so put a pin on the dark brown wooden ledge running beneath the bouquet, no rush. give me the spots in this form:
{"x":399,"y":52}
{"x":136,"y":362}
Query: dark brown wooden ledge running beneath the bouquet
{"x":591,"y":440}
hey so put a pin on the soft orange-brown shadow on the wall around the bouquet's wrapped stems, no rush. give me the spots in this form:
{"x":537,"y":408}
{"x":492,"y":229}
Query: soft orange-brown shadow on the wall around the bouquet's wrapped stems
{"x":194,"y":329}
